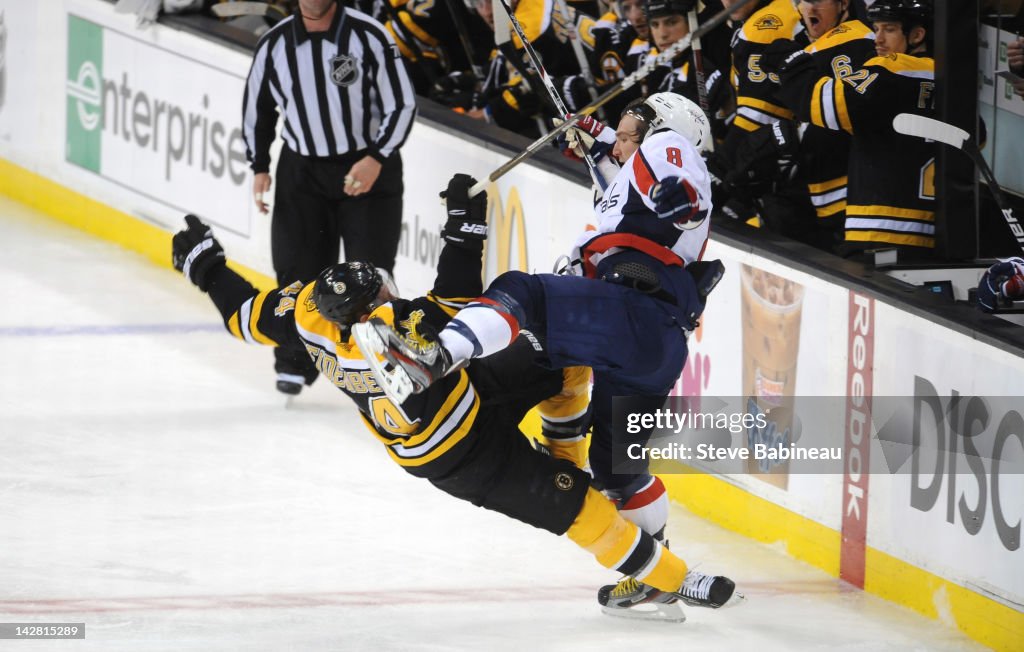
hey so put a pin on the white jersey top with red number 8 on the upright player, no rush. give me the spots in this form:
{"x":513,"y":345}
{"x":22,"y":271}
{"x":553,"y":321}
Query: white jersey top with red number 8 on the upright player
{"x":626,"y":206}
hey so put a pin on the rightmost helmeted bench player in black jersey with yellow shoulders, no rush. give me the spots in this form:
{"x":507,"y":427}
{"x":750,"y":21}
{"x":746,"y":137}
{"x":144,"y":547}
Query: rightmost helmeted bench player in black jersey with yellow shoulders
{"x":891,"y":190}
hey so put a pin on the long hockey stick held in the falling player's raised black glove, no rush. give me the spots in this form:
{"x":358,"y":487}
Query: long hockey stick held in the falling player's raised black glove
{"x":623,"y":85}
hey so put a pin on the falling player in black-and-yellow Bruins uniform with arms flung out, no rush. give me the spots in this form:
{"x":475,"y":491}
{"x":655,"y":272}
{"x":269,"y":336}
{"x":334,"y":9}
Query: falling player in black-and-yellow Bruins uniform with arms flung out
{"x":462,"y":433}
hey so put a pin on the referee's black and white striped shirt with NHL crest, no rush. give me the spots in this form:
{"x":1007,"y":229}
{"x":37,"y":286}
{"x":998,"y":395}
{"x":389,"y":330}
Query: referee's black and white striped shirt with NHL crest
{"x":343,"y":91}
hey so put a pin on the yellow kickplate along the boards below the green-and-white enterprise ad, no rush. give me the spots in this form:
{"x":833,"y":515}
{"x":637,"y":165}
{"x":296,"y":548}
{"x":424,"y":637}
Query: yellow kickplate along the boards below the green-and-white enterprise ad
{"x":99,"y":220}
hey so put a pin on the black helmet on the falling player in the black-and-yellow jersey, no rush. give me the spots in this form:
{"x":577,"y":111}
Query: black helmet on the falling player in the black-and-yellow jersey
{"x":346,"y":292}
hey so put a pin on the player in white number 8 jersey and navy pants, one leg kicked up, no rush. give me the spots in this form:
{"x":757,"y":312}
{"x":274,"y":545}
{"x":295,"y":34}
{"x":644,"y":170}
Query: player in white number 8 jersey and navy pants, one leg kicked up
{"x":637,"y":291}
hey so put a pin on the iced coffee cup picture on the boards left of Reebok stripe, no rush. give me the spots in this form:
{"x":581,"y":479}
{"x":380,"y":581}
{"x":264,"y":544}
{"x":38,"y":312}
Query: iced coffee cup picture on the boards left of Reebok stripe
{"x":772,"y":309}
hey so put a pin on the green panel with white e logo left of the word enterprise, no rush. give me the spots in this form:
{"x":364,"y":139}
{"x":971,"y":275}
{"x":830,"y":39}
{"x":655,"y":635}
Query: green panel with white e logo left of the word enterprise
{"x":86,"y":112}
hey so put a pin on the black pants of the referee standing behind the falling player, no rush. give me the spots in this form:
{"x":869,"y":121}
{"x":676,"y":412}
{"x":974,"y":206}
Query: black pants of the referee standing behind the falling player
{"x":313,"y":216}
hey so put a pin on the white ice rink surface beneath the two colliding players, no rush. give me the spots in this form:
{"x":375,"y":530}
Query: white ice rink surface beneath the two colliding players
{"x":154,"y":487}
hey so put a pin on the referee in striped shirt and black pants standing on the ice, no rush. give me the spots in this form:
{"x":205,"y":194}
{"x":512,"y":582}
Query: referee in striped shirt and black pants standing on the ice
{"x":337,"y":78}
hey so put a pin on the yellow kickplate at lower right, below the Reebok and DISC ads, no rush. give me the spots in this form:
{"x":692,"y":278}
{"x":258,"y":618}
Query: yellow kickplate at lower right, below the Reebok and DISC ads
{"x":978,"y":617}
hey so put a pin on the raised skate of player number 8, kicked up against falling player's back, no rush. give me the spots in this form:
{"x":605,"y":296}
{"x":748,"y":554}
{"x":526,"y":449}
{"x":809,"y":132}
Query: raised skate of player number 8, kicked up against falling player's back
{"x":409,"y":368}
